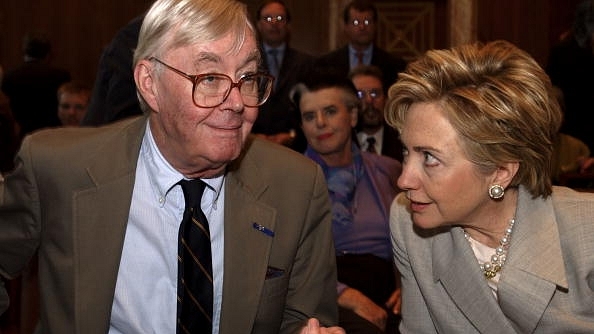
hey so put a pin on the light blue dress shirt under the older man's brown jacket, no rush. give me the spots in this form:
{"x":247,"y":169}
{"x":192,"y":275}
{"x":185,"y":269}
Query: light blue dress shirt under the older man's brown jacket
{"x":145,"y":298}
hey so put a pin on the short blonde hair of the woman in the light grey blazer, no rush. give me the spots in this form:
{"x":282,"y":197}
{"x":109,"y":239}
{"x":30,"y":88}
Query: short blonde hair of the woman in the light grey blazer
{"x":497,"y":98}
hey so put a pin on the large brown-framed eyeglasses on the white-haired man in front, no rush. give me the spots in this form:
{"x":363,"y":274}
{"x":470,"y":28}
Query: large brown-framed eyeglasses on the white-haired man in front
{"x":210,"y":90}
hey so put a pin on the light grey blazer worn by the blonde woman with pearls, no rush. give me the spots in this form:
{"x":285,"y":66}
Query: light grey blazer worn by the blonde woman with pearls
{"x":546,"y":285}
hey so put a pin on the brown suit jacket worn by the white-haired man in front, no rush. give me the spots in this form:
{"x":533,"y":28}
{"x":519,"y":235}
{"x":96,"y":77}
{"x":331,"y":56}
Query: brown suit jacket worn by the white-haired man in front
{"x":71,"y":195}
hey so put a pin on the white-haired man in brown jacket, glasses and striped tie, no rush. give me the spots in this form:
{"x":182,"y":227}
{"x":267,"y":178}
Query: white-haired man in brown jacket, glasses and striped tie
{"x":103,"y":206}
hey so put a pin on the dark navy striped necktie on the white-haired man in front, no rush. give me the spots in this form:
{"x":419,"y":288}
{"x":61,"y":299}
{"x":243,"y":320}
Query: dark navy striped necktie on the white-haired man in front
{"x":194,"y":292}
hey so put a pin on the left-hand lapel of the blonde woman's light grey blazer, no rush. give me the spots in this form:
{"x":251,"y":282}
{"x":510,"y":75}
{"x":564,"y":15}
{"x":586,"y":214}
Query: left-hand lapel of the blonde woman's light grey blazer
{"x":465,"y":285}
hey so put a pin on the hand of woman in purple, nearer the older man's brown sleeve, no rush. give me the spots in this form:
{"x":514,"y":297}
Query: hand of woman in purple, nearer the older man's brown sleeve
{"x":364,"y":307}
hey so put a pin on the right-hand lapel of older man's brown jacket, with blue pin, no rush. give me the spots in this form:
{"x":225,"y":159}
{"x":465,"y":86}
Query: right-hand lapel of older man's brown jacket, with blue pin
{"x":246,"y":247}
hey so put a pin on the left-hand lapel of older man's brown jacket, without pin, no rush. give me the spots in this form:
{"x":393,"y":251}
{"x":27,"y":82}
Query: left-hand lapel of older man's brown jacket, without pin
{"x":100,"y":216}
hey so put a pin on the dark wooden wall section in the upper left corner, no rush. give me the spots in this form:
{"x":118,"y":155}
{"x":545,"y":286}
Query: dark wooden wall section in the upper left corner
{"x":78,"y":29}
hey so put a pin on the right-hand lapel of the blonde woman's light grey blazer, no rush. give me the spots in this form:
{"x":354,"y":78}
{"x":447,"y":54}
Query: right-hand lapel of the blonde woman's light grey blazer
{"x":534,"y":267}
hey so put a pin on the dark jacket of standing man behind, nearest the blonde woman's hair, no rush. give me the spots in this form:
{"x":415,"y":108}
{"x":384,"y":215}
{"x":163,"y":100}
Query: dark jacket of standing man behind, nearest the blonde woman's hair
{"x":388,"y":63}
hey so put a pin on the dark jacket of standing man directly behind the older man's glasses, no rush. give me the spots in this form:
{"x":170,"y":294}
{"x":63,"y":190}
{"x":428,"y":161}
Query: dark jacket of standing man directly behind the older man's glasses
{"x":279,"y":114}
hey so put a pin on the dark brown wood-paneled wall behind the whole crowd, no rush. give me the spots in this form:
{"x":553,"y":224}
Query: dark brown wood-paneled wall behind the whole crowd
{"x":80,"y":29}
